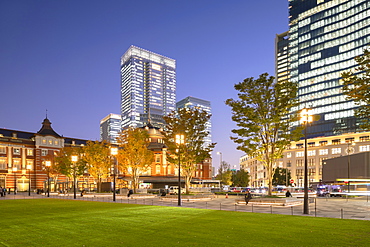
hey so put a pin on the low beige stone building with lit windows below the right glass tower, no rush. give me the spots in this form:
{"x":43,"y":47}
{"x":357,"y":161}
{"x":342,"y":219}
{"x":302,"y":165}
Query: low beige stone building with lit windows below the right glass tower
{"x":319,"y":149}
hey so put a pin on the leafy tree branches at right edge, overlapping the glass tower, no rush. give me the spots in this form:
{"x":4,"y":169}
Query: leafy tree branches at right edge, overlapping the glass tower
{"x":356,"y":86}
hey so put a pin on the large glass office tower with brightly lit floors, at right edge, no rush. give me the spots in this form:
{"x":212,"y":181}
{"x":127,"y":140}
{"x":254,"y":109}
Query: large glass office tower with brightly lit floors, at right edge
{"x":325,"y":36}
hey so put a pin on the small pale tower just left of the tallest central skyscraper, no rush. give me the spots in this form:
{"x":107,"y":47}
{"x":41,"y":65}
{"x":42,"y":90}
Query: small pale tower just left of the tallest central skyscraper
{"x":110,"y":127}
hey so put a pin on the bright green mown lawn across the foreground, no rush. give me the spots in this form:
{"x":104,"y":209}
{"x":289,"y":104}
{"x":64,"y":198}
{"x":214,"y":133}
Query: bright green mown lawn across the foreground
{"x":54,"y":222}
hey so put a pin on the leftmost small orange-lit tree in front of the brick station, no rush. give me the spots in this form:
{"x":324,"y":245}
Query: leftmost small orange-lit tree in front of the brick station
{"x":68,"y":168}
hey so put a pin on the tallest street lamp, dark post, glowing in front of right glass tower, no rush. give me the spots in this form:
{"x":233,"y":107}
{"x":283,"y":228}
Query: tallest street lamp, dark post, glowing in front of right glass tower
{"x":306,"y":118}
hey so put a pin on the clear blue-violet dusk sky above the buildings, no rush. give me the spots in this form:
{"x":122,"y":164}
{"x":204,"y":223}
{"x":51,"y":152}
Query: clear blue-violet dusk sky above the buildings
{"x":64,"y":56}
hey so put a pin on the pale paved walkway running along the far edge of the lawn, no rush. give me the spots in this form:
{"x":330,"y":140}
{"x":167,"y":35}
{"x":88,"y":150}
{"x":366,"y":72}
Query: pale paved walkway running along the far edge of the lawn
{"x":343,"y":208}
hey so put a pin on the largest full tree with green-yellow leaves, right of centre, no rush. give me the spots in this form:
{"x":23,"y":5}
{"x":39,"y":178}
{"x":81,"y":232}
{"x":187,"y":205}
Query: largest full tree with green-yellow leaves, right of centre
{"x":263,"y":116}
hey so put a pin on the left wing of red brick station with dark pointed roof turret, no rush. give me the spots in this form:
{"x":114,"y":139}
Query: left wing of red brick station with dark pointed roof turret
{"x":24,"y":155}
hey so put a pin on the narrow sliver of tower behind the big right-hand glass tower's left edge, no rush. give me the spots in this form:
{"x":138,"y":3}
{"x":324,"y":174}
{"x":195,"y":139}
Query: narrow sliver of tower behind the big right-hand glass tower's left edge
{"x":282,"y":68}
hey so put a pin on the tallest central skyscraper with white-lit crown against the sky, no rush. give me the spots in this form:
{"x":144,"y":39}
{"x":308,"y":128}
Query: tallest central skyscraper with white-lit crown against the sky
{"x":148,"y":87}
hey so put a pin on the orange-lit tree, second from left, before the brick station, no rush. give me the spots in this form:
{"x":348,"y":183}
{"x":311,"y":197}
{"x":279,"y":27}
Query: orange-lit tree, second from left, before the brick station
{"x":97,"y":157}
